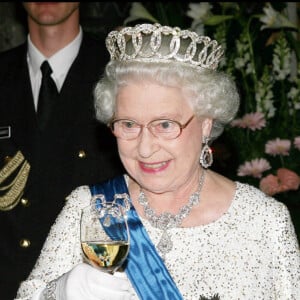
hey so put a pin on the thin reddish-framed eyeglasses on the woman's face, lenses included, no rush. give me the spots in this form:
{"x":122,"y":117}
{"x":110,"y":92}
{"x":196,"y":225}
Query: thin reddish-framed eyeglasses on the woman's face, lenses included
{"x":161,"y":128}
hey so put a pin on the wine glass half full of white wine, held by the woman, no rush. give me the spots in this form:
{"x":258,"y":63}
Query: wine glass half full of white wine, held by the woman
{"x":104,"y":235}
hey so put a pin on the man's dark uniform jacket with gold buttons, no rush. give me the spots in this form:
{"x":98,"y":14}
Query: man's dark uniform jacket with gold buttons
{"x":74,"y":149}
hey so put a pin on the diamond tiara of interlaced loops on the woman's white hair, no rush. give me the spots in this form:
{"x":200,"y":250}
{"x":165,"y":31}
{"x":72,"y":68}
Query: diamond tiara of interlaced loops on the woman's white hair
{"x":143,"y":43}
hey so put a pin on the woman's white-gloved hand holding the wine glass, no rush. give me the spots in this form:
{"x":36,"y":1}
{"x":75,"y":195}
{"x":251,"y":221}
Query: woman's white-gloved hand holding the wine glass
{"x":86,"y":282}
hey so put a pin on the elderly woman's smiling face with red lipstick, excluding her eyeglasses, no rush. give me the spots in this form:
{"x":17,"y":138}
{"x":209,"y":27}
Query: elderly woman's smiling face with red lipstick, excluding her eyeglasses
{"x":158,"y":165}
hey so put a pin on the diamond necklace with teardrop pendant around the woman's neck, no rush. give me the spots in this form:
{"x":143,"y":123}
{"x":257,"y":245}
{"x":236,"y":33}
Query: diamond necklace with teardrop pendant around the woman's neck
{"x":167,"y":220}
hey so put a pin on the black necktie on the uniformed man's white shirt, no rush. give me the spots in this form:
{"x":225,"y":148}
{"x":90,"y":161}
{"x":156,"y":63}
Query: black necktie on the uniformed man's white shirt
{"x":47,"y":95}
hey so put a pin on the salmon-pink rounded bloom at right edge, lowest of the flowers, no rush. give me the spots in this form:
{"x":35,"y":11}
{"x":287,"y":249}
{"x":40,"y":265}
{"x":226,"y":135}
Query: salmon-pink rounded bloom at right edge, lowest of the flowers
{"x":285,"y":180}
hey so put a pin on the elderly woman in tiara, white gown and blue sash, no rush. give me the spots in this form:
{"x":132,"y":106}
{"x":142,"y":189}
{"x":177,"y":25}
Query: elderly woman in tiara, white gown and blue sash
{"x":195,"y":234}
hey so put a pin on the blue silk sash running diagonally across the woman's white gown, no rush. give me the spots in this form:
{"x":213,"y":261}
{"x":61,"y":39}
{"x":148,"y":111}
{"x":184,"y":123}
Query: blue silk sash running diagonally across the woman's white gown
{"x":144,"y":267}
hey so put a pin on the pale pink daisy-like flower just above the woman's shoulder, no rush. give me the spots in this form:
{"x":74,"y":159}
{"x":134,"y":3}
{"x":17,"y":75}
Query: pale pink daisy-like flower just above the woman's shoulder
{"x":254,"y":168}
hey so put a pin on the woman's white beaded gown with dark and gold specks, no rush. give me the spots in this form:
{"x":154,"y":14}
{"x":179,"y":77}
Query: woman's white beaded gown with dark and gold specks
{"x":251,"y":252}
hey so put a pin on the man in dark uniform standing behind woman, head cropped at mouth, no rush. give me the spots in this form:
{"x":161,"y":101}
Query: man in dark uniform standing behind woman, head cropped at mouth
{"x":45,"y":152}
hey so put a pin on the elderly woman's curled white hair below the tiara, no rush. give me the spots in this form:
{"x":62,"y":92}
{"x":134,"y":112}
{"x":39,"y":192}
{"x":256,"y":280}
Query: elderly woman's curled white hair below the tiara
{"x":210,"y":93}
